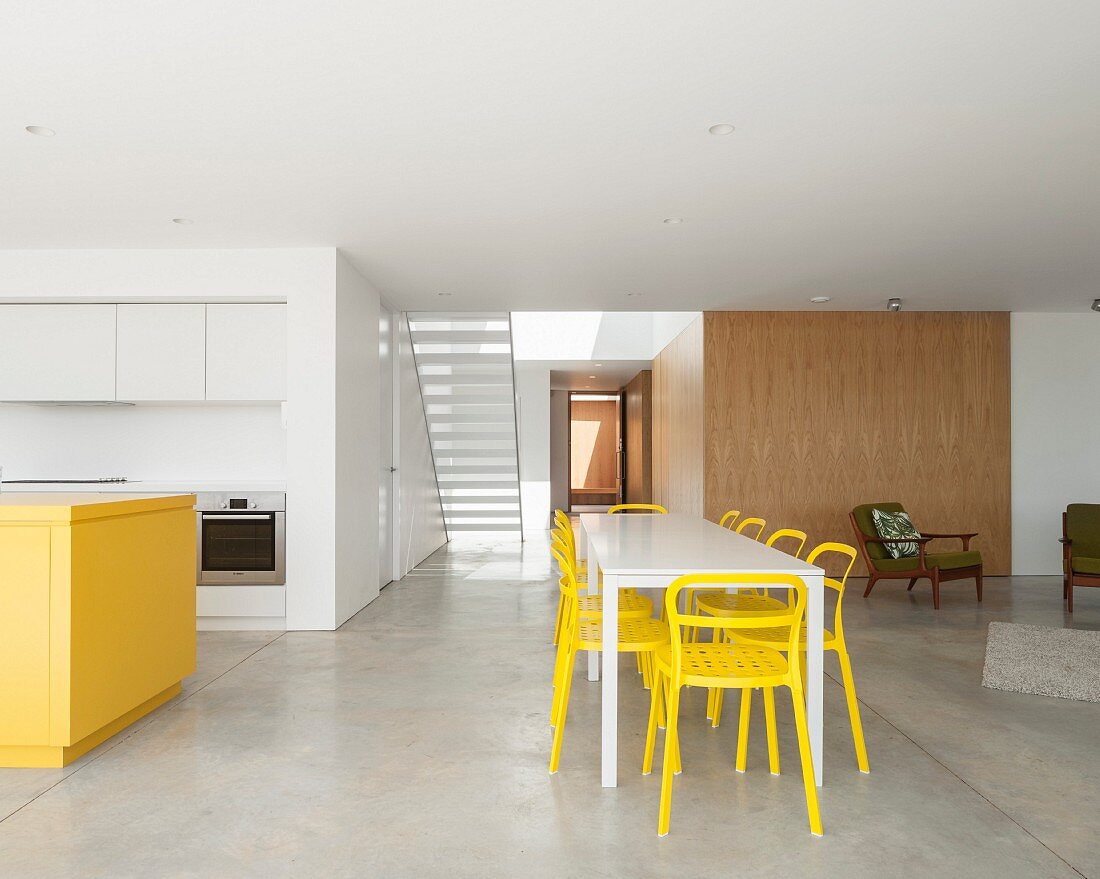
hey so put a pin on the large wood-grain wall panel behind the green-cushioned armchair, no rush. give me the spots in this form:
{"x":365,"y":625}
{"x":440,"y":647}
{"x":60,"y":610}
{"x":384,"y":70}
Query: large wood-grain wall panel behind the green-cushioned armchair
{"x":809,"y":414}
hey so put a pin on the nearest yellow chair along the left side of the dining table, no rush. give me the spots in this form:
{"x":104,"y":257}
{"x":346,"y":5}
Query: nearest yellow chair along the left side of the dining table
{"x":635,"y":636}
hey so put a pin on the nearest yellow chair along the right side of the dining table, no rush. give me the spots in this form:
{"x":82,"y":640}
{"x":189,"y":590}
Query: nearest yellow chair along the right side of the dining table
{"x":834,"y":641}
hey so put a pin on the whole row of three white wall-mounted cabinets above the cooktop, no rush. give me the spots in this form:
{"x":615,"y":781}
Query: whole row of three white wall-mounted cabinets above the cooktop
{"x":144,"y":354}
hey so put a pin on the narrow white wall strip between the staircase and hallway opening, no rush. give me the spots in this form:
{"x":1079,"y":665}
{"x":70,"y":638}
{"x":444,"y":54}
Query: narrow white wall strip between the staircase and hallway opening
{"x":533,"y":390}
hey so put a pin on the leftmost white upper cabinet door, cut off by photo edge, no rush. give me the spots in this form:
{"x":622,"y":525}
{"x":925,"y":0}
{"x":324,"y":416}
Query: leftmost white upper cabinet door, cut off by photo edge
{"x":58,"y":353}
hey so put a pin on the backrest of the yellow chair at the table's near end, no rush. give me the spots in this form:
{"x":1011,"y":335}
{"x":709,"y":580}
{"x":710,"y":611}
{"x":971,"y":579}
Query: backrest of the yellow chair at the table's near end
{"x":786,"y":618}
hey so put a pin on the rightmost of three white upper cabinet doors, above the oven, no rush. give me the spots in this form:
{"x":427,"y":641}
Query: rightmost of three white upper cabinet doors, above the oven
{"x":246,"y":353}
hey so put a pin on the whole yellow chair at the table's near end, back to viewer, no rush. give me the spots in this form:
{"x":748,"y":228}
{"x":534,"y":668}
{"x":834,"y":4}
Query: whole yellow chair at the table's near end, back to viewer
{"x":729,"y":665}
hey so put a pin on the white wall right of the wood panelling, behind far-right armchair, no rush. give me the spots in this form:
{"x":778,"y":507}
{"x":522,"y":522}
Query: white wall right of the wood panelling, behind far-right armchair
{"x":1055,"y":432}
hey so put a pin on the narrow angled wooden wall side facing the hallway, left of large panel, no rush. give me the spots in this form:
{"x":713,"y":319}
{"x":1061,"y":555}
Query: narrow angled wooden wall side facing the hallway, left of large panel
{"x":679,"y":423}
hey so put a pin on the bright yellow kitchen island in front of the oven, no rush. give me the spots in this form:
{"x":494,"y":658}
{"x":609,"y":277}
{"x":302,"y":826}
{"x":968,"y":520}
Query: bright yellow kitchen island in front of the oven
{"x":97,"y":618}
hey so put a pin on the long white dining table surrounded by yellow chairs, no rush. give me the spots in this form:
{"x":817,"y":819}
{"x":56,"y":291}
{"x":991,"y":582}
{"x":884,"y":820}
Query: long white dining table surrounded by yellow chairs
{"x":648,"y":553}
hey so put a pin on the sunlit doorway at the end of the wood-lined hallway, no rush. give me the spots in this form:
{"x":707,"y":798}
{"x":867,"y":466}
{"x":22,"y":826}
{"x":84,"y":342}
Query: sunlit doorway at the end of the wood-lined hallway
{"x":596,"y":452}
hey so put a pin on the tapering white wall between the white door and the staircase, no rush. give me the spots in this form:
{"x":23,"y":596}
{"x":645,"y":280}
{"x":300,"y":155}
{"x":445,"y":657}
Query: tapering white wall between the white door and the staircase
{"x":422,"y":515}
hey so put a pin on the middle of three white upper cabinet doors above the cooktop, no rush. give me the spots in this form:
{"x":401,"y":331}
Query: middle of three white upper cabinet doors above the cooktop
{"x":161,"y":353}
